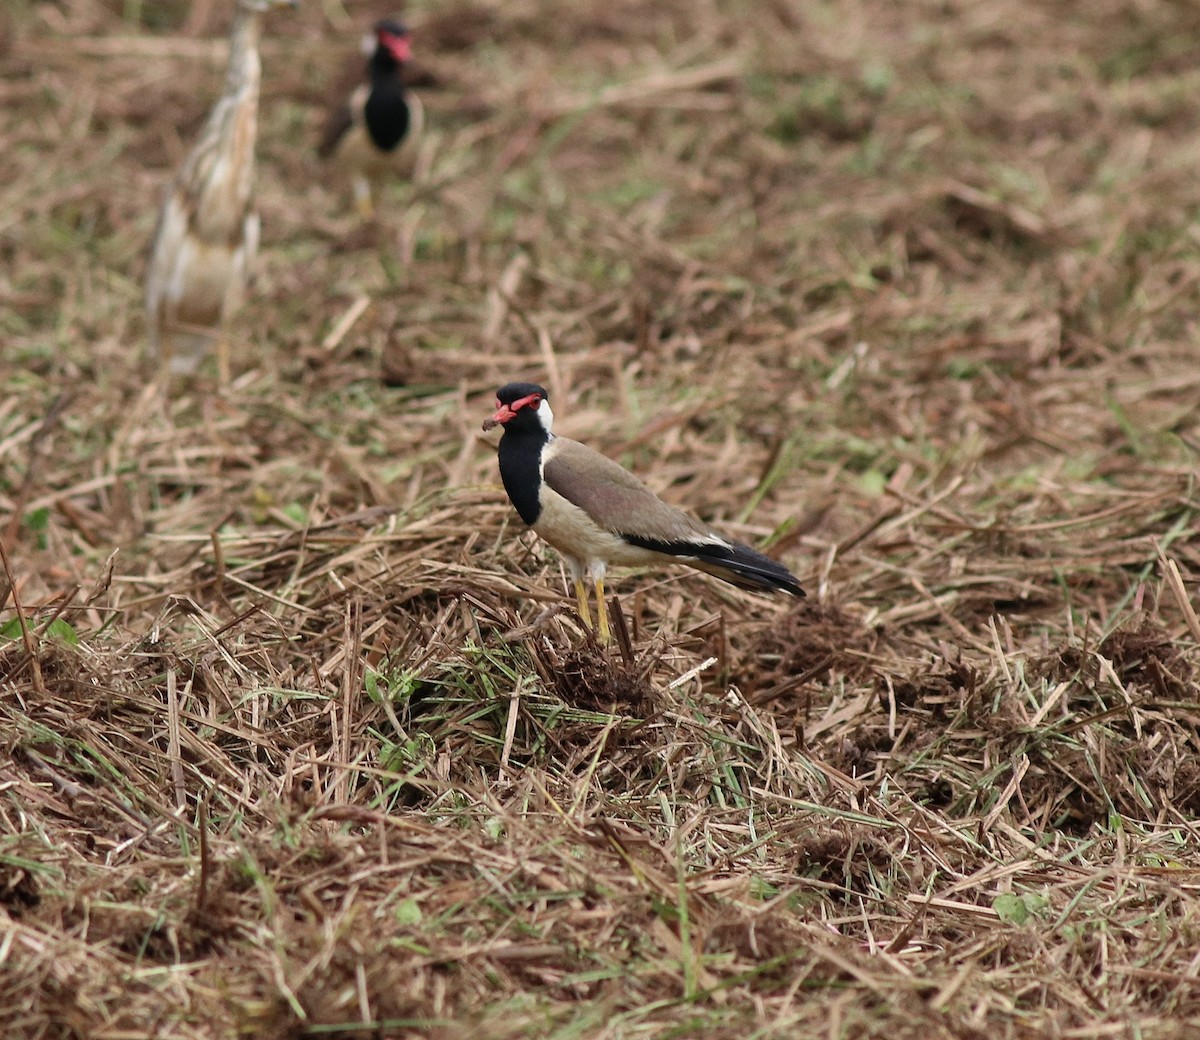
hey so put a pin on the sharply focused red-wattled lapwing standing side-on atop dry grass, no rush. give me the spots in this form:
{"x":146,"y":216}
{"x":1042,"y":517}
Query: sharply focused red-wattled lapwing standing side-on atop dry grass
{"x":597,"y":514}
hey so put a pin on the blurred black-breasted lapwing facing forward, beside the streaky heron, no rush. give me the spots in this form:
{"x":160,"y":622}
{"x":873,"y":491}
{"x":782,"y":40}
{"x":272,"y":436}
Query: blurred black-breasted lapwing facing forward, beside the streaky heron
{"x":374,"y":133}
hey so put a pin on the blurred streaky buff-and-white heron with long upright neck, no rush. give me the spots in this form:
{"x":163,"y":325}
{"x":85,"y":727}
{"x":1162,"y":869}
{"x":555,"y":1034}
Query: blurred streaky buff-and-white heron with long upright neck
{"x":207,"y":237}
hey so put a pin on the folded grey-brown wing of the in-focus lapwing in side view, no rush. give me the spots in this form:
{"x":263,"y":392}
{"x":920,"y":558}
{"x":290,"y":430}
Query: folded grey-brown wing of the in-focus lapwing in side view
{"x":616,"y":500}
